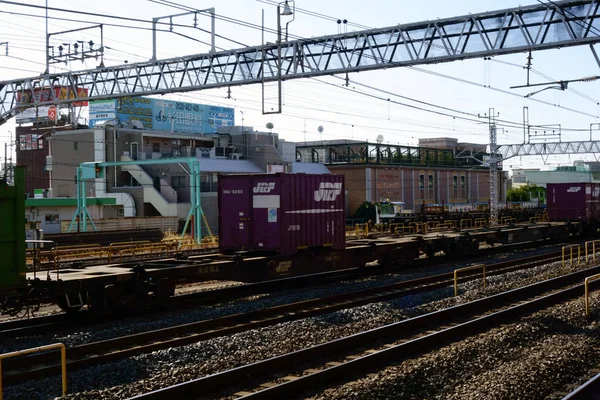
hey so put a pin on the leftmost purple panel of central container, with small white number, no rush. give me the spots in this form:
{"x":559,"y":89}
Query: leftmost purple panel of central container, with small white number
{"x":235,"y":213}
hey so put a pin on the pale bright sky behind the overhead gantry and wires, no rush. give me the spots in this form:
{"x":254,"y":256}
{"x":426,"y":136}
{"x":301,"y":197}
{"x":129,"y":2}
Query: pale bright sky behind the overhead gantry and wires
{"x":358,"y":111}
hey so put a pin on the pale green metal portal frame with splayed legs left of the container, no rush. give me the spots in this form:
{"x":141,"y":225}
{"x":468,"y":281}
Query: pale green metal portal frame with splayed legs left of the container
{"x":96,"y":170}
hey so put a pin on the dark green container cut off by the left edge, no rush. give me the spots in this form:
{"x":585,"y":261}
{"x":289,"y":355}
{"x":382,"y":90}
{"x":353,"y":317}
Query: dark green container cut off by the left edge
{"x":12,"y":233}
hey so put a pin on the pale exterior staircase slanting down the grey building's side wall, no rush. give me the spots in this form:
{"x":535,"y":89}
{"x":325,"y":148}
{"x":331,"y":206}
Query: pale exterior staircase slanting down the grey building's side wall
{"x":153,"y":196}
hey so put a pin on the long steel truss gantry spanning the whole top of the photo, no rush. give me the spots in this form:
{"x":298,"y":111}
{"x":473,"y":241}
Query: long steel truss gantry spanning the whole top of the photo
{"x":537,"y":27}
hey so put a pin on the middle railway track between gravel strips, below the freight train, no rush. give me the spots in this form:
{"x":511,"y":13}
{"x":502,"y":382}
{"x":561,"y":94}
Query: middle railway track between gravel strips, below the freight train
{"x":20,"y":370}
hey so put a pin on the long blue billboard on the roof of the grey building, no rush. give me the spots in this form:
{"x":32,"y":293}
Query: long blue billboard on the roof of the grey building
{"x":163,"y":115}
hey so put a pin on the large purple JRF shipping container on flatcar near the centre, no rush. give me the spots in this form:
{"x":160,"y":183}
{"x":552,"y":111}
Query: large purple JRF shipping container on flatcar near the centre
{"x":281,"y":212}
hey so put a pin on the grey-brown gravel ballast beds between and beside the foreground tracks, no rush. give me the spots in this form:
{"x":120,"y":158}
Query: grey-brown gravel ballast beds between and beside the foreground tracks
{"x":504,"y":355}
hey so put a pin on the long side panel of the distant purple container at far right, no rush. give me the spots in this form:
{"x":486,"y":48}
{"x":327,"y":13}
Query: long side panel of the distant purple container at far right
{"x":567,"y":201}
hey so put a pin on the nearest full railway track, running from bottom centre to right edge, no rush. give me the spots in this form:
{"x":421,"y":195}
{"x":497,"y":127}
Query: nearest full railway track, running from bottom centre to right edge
{"x":312,"y":369}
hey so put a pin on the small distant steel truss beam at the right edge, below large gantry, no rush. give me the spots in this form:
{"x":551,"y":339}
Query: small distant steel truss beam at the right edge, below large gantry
{"x":547,"y":149}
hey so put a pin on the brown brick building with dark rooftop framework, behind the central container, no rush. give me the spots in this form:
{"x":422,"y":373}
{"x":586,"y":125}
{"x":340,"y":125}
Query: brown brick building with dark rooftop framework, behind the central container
{"x":449,"y":173}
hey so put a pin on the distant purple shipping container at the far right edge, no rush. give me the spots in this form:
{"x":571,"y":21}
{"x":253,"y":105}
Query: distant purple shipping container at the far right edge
{"x":573,"y":201}
